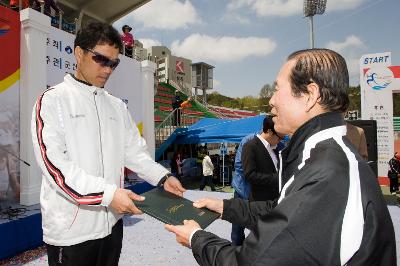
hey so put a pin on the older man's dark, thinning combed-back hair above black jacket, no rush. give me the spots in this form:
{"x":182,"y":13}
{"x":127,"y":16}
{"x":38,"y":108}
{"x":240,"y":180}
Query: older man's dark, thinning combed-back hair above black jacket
{"x":328,"y":70}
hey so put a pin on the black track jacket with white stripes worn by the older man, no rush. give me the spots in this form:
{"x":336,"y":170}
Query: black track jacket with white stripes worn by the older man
{"x":330,"y":212}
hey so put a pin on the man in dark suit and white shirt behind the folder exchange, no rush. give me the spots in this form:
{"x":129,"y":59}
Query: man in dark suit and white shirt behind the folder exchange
{"x":260,"y":163}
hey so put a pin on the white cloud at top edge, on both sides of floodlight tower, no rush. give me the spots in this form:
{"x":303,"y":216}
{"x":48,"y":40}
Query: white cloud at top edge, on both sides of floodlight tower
{"x":284,"y":8}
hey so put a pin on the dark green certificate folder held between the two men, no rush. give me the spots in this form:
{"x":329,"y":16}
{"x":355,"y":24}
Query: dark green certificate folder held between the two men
{"x":171,"y":209}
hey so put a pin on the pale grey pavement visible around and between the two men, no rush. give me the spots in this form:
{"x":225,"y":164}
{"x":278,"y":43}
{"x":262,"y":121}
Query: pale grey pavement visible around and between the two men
{"x":146,"y":242}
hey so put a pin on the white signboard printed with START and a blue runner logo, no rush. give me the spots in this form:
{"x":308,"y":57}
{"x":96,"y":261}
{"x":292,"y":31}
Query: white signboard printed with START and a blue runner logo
{"x":377,"y":104}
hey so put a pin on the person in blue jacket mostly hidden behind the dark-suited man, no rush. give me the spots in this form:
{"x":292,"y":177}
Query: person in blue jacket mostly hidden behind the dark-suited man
{"x":241,"y":189}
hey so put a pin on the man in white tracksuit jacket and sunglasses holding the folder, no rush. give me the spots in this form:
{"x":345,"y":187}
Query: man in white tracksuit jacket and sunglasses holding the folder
{"x":83,"y":138}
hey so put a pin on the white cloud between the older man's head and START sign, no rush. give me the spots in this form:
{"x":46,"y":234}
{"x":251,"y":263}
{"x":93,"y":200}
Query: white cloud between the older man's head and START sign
{"x":351,"y":49}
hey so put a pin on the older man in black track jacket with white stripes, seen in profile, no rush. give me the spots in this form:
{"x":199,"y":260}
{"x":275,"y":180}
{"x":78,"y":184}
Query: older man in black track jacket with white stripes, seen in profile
{"x":330,"y":210}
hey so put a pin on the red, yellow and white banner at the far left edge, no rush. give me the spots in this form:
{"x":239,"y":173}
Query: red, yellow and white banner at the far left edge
{"x":9,"y":104}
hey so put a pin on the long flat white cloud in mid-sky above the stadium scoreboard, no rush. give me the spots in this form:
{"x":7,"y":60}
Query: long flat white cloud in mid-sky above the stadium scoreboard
{"x":222,"y":49}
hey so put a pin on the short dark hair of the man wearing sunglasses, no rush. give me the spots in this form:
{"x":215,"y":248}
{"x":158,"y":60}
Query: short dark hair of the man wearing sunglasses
{"x":97,"y":33}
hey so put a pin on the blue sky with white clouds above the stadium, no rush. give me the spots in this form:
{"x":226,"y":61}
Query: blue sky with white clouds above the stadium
{"x":247,"y":41}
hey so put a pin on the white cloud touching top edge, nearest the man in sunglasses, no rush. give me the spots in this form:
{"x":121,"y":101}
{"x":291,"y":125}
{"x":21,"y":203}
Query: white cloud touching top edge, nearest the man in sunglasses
{"x":166,"y":14}
